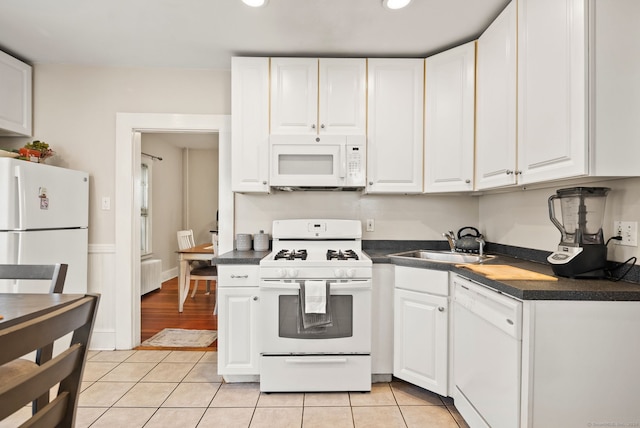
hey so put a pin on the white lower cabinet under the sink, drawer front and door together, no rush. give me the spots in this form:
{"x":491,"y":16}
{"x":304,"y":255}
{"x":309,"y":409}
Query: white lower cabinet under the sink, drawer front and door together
{"x":421,"y":328}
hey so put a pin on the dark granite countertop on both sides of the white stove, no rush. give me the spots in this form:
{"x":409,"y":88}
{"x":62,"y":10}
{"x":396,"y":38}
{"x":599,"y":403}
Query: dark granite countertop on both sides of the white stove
{"x":563,"y":289}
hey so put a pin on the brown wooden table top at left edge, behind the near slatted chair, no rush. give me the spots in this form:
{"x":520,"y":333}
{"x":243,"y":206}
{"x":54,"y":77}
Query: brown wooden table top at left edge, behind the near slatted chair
{"x":18,"y":307}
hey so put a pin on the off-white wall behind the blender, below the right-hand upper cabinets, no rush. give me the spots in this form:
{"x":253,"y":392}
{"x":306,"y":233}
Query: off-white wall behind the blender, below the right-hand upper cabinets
{"x":521,"y":218}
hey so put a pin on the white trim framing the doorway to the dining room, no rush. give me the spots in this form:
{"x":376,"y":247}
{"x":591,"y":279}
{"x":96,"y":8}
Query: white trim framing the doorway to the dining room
{"x":127,"y":275}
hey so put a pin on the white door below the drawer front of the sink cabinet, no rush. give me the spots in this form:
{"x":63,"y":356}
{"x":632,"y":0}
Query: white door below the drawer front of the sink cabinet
{"x":420,"y":339}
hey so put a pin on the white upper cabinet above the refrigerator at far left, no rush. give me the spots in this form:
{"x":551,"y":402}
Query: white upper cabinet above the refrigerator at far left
{"x":15,"y":97}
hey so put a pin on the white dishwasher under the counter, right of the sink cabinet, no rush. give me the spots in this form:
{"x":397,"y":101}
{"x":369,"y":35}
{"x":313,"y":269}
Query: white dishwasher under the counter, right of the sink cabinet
{"x":487,"y":350}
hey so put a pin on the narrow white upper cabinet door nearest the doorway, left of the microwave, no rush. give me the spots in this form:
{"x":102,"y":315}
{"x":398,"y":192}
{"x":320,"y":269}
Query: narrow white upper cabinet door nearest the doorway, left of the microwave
{"x":250,"y":125}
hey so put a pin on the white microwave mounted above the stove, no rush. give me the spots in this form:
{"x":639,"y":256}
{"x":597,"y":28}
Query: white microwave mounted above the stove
{"x":314,"y":161}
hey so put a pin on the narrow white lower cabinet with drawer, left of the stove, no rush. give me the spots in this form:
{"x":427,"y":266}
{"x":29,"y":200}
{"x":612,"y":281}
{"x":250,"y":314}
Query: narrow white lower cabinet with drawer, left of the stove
{"x":238,"y":300}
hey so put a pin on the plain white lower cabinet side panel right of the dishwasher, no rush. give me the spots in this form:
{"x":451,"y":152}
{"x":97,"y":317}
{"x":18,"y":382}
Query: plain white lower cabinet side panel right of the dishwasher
{"x":580,"y":364}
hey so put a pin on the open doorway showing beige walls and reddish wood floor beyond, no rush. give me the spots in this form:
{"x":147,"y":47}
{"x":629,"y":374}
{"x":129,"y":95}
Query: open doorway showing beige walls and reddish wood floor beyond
{"x":179,"y":192}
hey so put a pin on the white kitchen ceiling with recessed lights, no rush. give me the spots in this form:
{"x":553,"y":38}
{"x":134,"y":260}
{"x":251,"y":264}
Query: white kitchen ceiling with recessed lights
{"x":205,"y":34}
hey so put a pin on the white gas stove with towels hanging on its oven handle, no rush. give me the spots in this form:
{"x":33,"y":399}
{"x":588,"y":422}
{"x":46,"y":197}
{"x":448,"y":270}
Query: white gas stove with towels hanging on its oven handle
{"x":325,"y":350}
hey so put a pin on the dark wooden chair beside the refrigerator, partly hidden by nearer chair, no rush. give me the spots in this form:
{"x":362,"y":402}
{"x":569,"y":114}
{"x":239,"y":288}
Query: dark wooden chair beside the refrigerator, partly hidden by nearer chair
{"x":56,"y":274}
